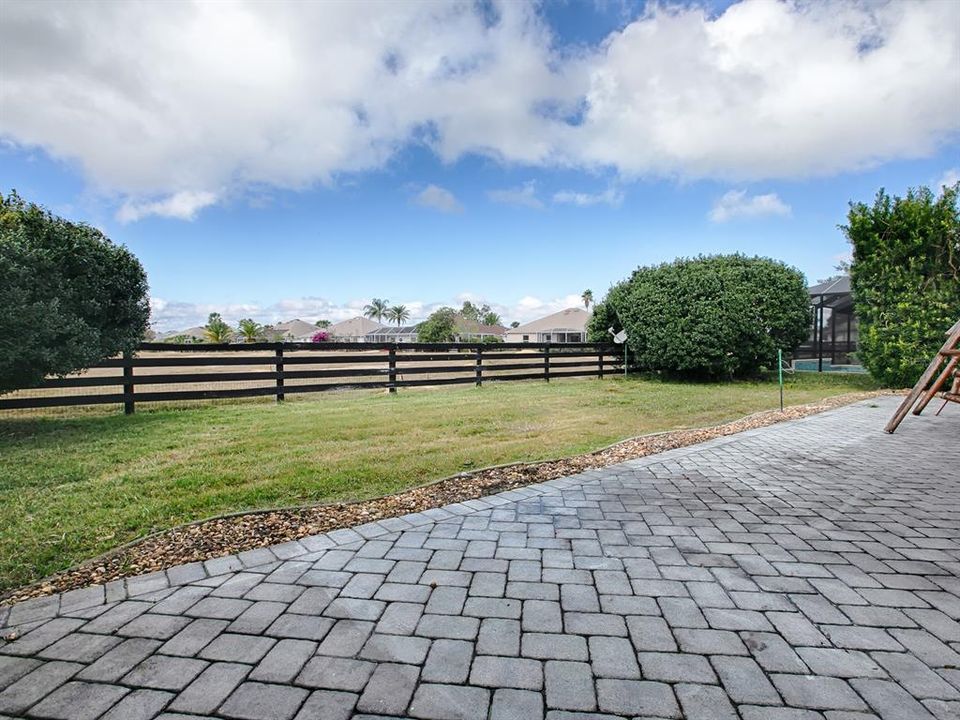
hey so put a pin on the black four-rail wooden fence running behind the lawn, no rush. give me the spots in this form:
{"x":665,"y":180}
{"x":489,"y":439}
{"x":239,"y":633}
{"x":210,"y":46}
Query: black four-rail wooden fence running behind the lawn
{"x":163,"y":372}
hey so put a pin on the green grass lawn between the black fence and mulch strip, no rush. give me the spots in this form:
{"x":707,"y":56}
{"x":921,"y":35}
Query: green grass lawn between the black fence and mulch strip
{"x":75,"y":485}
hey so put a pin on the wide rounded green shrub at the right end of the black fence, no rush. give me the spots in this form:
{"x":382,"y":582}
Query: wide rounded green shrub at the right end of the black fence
{"x":710,"y":317}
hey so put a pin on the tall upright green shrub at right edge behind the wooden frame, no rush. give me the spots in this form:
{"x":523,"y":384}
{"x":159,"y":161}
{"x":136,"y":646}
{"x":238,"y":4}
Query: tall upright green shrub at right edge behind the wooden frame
{"x":905,"y":276}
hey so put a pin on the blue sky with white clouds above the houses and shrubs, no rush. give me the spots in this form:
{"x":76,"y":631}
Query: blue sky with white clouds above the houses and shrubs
{"x":296,"y":159}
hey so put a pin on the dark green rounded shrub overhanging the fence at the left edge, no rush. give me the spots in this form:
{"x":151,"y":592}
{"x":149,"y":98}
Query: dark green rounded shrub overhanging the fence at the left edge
{"x":68,"y":296}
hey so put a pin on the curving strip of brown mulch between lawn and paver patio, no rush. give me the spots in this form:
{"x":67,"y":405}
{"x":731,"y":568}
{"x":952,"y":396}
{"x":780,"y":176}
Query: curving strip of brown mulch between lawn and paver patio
{"x":235,"y":533}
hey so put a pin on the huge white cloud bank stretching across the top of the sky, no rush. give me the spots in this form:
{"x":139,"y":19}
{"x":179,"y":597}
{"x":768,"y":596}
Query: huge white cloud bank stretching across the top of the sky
{"x":157,"y":100}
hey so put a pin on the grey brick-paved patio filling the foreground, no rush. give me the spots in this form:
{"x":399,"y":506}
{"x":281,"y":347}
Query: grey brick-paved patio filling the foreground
{"x":805,"y":570}
